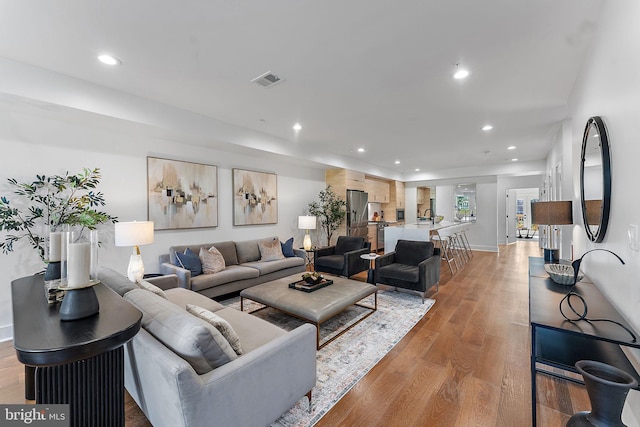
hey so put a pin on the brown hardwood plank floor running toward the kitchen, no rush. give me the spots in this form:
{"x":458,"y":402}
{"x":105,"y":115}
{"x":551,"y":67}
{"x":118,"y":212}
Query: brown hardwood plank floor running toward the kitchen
{"x":465,"y":363}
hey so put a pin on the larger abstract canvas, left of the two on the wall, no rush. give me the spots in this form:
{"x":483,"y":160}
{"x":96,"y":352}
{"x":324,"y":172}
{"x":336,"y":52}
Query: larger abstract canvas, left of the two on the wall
{"x":181,"y":194}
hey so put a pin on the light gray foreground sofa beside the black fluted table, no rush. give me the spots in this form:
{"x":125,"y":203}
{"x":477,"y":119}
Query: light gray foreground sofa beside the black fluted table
{"x":175,"y":385}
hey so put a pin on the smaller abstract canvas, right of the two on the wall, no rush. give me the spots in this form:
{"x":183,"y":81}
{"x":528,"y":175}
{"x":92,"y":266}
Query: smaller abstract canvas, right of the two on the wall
{"x":255,"y":197}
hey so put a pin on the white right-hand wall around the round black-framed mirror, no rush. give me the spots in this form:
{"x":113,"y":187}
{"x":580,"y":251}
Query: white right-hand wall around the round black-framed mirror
{"x":610,"y":87}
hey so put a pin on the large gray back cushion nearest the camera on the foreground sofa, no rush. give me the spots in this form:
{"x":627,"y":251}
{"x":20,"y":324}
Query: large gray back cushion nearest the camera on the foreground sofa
{"x":197,"y":342}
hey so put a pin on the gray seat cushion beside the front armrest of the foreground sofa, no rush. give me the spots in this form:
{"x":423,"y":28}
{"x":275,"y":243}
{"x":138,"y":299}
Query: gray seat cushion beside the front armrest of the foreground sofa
{"x":253,"y":331}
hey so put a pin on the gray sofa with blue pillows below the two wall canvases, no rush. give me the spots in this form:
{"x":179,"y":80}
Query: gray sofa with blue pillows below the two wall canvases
{"x":243,"y":267}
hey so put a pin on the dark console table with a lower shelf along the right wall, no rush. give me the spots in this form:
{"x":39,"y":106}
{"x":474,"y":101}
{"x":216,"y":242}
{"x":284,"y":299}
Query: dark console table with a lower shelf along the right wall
{"x":558,"y":343}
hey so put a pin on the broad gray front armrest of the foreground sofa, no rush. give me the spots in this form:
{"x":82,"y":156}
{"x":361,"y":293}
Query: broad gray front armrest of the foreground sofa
{"x":234,"y":394}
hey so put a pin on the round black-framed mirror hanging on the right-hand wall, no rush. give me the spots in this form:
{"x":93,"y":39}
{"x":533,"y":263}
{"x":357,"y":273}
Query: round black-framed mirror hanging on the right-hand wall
{"x":595,"y":179}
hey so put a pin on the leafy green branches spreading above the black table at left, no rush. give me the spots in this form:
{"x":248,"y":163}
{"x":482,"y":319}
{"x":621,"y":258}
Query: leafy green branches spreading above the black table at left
{"x":51,"y":201}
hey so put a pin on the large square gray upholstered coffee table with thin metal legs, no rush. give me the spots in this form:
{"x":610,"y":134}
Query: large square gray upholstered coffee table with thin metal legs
{"x":315,"y":307}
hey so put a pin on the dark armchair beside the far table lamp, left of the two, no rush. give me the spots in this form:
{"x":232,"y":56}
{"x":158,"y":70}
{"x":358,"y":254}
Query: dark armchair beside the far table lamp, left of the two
{"x":343,"y":259}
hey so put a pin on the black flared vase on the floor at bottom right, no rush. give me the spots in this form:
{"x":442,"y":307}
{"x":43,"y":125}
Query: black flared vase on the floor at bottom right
{"x":607,"y":387}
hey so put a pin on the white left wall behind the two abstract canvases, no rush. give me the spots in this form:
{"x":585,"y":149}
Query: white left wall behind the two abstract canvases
{"x":37,"y":145}
